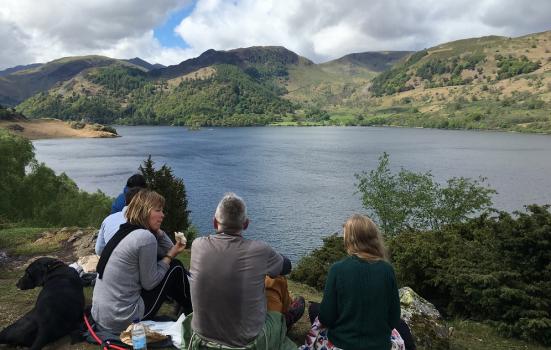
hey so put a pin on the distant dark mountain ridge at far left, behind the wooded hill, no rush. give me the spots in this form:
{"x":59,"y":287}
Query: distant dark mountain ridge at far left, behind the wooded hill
{"x":22,"y":84}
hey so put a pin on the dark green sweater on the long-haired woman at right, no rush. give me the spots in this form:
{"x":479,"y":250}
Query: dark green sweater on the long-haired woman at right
{"x":360,"y":305}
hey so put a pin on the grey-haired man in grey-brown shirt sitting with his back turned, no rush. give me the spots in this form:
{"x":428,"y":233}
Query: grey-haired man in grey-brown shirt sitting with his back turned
{"x":238,"y":293}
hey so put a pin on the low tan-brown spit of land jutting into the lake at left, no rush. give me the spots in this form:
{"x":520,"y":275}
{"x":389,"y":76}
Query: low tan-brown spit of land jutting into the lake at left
{"x":52,"y":129}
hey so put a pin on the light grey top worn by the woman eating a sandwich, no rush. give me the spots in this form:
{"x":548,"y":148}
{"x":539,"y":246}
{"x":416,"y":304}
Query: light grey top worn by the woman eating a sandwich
{"x":132,"y":266}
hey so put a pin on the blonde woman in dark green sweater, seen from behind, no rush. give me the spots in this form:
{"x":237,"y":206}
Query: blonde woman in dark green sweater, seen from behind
{"x":360,"y":306}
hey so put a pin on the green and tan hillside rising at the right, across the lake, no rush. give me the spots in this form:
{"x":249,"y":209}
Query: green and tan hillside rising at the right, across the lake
{"x":494,"y":83}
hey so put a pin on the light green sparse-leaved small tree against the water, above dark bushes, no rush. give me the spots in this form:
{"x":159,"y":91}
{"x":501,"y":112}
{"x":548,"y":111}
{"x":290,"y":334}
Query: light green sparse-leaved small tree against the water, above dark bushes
{"x":414,"y":201}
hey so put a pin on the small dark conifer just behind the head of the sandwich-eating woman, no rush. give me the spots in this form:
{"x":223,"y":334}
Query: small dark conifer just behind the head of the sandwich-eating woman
{"x":173,"y":189}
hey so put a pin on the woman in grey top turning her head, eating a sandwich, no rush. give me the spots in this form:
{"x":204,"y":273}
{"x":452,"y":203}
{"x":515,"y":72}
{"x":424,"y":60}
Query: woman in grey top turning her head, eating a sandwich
{"x":137,"y":269}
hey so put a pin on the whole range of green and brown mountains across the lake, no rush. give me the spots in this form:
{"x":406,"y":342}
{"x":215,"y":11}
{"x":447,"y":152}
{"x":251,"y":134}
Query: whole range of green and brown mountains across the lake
{"x":492,"y":82}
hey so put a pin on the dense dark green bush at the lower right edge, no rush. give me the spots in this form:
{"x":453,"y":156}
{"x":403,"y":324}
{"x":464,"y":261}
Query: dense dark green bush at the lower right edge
{"x":494,"y":268}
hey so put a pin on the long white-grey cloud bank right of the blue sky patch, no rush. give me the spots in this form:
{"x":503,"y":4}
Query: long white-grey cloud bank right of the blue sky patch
{"x":323,"y":30}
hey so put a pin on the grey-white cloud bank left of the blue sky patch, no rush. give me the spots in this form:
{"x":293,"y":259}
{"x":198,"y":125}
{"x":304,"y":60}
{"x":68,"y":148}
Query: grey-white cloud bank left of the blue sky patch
{"x":46,"y":30}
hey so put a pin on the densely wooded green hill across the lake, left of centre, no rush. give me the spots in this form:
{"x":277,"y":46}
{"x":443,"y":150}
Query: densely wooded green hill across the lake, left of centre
{"x":240,"y":85}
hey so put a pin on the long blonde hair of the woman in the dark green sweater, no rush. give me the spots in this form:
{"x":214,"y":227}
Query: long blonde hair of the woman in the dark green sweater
{"x":363,"y":239}
